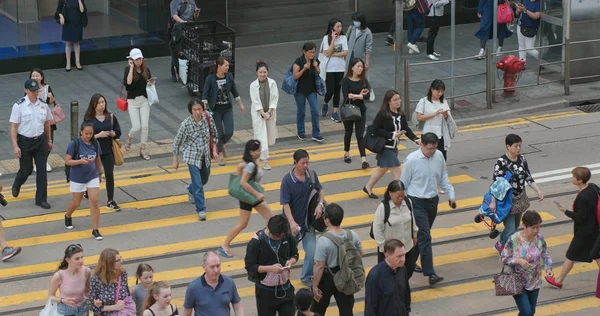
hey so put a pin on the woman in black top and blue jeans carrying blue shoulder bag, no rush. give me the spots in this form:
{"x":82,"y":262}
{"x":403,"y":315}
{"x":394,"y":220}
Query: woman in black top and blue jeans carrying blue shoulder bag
{"x":306,"y":68}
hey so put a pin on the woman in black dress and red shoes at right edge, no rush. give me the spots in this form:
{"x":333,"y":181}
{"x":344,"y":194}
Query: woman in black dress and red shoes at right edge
{"x":585,"y":225}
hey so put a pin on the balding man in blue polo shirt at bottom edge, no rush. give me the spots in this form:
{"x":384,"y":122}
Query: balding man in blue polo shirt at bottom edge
{"x":212,"y":294}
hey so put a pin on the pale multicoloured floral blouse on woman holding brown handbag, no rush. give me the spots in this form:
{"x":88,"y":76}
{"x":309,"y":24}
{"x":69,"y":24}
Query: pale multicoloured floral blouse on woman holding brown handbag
{"x":534,"y":252}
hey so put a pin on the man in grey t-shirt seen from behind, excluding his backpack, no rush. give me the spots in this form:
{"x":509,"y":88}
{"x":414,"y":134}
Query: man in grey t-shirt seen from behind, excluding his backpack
{"x":326,"y":264}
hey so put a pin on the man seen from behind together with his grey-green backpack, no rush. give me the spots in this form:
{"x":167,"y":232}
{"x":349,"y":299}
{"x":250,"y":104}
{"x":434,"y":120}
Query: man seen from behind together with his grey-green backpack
{"x":339,"y":270}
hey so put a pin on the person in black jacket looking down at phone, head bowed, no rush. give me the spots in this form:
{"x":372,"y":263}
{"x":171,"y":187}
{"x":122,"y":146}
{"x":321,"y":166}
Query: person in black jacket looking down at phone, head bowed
{"x":270,"y":254}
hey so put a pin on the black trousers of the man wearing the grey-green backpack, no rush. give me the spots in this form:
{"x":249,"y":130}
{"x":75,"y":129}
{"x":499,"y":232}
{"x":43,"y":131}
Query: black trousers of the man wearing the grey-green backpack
{"x":345,"y":303}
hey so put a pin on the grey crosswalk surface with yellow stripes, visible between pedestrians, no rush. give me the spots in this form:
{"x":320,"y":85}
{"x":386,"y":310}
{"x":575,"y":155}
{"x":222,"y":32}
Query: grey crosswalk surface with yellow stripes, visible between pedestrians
{"x":162,"y":229}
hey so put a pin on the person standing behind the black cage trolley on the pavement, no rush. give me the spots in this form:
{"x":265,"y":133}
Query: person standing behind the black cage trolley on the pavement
{"x":182,"y":11}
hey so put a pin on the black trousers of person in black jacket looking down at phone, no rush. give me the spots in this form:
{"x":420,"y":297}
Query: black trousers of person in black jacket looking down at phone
{"x":269,"y":303}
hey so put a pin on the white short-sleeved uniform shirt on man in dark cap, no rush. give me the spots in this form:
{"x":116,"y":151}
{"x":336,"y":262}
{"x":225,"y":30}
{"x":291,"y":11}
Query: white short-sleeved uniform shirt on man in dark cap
{"x":30,"y":117}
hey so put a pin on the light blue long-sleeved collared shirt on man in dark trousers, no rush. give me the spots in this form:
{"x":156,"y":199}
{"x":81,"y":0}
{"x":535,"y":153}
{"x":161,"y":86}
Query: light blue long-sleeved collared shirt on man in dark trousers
{"x":422,"y":175}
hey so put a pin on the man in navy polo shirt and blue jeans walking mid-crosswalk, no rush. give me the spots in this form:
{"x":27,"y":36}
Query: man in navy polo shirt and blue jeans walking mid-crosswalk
{"x":295,"y":191}
